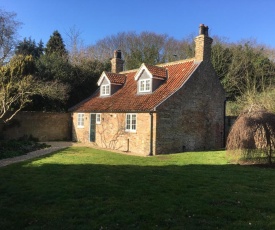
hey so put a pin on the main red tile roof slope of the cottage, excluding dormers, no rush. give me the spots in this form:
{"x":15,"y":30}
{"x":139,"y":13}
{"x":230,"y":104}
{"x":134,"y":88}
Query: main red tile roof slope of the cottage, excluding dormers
{"x":126,"y":99}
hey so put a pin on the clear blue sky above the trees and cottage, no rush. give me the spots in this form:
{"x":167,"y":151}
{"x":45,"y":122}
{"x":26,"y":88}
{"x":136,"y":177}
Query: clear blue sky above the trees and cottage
{"x":96,"y":19}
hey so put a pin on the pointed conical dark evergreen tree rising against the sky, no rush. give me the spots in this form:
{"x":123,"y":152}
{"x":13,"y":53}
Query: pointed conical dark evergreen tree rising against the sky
{"x":56,"y":45}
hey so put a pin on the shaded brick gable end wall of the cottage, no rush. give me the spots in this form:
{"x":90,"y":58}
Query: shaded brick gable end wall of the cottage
{"x":192,"y":118}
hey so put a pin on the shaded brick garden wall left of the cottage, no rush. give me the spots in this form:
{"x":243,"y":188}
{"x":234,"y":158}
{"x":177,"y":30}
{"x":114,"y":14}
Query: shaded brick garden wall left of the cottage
{"x":45,"y":126}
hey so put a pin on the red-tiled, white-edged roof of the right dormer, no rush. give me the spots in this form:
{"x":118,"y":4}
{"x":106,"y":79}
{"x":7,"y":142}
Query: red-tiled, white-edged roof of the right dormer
{"x":152,"y":71}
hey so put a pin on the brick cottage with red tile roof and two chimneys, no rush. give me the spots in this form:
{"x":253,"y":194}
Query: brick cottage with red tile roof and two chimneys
{"x":166,"y":108}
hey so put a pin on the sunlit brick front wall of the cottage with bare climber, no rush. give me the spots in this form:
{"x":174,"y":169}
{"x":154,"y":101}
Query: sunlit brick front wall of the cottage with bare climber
{"x":111,"y":132}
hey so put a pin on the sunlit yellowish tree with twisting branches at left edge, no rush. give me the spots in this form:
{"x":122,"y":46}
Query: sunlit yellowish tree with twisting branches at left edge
{"x":18,"y":85}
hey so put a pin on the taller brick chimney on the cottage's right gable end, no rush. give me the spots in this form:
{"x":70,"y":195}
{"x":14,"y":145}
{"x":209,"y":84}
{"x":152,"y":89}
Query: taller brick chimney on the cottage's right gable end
{"x":203,"y":45}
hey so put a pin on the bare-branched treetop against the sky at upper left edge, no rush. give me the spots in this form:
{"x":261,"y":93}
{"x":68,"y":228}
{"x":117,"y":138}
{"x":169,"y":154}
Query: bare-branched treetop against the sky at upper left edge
{"x":8,"y":34}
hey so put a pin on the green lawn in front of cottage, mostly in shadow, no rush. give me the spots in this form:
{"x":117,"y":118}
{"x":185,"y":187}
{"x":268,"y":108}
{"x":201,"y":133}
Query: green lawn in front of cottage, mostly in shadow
{"x":83,"y":188}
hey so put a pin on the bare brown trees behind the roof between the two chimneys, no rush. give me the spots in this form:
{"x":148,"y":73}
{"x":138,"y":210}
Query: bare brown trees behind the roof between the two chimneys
{"x":146,"y":47}
